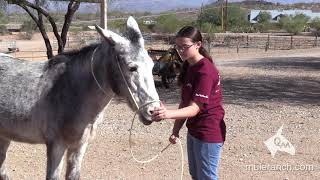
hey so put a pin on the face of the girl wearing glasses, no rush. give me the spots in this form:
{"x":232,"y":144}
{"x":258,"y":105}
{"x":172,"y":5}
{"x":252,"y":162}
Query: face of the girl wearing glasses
{"x":186,"y":48}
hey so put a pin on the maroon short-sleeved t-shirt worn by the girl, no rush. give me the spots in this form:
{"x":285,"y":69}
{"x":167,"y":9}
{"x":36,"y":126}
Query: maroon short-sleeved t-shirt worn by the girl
{"x":202,"y":84}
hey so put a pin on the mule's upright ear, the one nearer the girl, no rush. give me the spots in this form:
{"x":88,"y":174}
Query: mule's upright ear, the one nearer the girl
{"x":133,"y":32}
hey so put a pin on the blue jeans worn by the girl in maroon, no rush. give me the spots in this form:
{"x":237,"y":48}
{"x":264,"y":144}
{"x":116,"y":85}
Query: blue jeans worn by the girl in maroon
{"x":203,"y":158}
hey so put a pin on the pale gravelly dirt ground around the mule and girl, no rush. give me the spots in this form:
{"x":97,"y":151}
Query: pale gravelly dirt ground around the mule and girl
{"x":262,"y":91}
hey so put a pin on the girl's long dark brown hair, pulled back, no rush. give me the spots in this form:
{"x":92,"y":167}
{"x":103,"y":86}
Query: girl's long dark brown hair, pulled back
{"x":195,"y":35}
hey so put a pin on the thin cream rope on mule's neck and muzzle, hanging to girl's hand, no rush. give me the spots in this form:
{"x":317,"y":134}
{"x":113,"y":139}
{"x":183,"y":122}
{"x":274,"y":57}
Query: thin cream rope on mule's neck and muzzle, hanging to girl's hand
{"x":138,"y":109}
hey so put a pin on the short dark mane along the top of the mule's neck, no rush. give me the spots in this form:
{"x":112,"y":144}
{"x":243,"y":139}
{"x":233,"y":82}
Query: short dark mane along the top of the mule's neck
{"x":72,"y":55}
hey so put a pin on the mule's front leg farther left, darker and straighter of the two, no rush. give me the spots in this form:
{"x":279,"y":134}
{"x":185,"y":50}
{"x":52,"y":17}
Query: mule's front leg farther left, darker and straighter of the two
{"x":55,"y":152}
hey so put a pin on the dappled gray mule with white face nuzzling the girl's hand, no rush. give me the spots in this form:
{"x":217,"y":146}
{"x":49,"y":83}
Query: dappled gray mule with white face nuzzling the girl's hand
{"x":59,"y":102}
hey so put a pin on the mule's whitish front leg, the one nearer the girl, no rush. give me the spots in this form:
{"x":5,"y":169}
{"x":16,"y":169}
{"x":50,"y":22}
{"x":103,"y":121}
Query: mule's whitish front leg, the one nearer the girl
{"x":74,"y":159}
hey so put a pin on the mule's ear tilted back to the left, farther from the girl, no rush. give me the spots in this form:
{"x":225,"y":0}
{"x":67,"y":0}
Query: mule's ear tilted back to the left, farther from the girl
{"x":111,"y":37}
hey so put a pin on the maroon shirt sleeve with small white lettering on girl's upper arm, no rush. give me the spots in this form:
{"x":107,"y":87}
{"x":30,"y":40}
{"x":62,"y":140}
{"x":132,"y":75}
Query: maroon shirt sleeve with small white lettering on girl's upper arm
{"x":203,"y":86}
